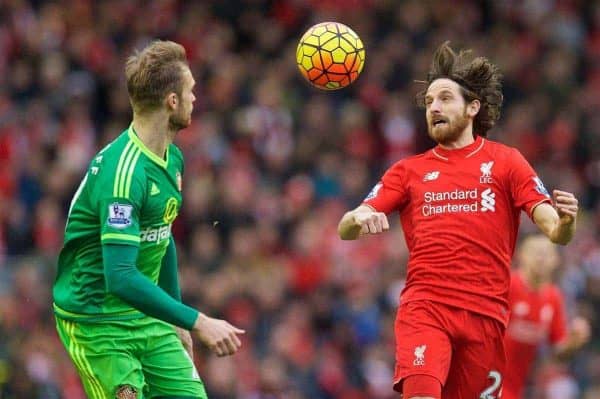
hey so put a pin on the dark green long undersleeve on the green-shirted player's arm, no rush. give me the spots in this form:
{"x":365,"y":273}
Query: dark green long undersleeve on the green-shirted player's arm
{"x":125,"y":281}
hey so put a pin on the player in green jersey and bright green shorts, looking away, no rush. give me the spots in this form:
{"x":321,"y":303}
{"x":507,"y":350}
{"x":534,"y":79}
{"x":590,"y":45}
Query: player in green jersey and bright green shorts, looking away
{"x":116,"y":296}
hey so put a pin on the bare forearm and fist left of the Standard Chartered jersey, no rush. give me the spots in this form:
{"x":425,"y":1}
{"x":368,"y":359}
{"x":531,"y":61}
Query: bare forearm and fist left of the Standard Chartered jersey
{"x":362,"y":220}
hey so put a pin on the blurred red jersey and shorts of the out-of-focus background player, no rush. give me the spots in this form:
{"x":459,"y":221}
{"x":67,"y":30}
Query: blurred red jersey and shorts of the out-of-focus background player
{"x":537,"y":316}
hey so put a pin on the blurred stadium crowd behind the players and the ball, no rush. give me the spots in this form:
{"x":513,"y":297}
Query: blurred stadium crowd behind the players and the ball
{"x":272,"y":164}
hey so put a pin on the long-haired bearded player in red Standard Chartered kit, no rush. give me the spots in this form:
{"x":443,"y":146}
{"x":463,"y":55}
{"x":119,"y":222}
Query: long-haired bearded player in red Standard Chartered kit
{"x":459,"y":205}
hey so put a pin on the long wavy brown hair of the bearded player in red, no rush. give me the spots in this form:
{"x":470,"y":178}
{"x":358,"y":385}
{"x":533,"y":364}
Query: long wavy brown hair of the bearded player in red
{"x":478,"y":79}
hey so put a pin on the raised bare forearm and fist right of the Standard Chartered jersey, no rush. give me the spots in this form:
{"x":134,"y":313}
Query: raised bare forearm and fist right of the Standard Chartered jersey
{"x":558,"y":222}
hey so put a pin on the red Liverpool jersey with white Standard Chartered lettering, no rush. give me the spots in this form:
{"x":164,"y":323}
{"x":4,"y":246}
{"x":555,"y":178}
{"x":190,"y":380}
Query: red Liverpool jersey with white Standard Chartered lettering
{"x":460,"y":213}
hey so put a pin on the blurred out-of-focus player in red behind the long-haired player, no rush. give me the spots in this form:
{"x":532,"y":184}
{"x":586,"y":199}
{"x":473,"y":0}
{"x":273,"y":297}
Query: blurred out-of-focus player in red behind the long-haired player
{"x":537,"y":314}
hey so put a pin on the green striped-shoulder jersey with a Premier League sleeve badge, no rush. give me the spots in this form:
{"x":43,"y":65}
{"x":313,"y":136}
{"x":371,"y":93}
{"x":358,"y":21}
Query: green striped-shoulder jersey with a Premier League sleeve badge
{"x":131,"y":196}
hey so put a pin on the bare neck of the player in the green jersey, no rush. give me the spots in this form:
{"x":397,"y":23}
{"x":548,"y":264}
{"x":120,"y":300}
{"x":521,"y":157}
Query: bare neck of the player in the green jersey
{"x":153,"y":130}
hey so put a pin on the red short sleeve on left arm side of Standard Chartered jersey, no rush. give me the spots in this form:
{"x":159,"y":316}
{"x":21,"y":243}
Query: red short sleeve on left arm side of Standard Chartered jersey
{"x":390,"y":193}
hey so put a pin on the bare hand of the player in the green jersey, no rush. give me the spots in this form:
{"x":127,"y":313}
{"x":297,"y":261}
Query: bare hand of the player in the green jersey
{"x":220,"y":336}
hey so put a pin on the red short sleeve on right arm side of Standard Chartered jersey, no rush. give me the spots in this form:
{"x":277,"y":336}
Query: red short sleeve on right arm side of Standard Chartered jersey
{"x":527,"y":189}
